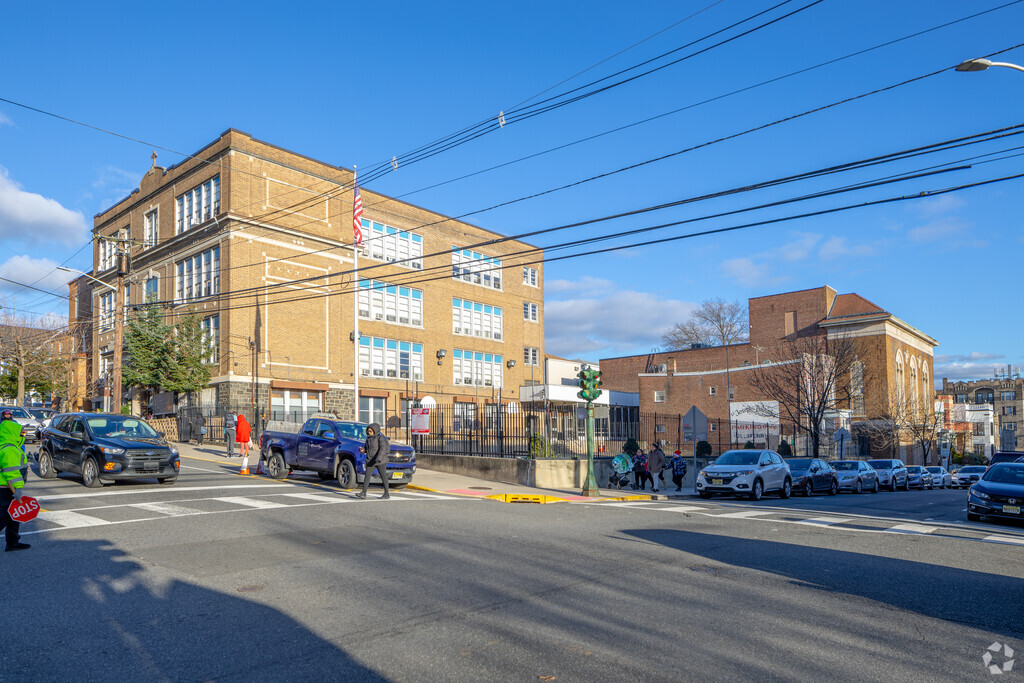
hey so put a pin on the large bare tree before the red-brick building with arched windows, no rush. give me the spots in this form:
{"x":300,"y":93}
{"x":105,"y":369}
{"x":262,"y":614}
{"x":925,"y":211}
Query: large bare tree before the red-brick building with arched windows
{"x":810,"y":380}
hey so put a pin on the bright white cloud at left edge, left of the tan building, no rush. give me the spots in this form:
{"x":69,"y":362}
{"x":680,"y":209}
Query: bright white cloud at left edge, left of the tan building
{"x":34,"y":219}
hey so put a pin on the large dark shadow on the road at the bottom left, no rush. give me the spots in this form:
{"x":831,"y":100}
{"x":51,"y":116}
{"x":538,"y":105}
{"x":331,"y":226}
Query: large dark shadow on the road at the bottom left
{"x":104,"y":616}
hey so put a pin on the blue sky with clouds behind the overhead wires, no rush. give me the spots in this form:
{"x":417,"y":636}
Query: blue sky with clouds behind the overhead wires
{"x":355,"y":83}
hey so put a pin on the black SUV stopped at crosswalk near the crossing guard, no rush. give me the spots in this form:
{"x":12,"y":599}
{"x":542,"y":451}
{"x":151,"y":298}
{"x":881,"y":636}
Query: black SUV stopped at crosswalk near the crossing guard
{"x":105,"y":448}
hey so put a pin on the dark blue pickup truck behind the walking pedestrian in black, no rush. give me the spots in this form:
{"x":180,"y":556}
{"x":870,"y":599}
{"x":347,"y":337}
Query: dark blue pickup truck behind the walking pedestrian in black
{"x":333,"y":449}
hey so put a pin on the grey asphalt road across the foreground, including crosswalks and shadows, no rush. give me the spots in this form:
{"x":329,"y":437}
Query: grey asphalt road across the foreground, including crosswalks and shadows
{"x":229,"y":578}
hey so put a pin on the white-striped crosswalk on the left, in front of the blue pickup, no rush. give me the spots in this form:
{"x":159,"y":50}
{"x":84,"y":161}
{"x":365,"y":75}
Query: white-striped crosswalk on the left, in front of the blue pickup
{"x":124,"y":514}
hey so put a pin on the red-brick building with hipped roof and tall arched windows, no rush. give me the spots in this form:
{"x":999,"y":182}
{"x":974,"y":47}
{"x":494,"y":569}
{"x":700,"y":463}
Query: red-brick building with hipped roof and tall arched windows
{"x":716,"y":380}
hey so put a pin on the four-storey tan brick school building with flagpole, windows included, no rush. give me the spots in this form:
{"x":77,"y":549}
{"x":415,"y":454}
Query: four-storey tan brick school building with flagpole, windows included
{"x":259,"y":241}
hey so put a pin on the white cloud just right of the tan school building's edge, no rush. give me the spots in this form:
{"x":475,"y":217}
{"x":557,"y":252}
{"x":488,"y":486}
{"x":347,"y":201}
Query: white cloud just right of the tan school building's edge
{"x":620,"y":323}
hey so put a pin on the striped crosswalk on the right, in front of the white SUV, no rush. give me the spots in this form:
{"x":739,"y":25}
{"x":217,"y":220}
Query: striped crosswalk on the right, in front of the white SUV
{"x":856,"y":524}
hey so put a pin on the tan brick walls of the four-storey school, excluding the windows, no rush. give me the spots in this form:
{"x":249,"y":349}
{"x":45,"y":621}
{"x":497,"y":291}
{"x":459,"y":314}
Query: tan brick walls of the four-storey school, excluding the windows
{"x":284,"y":232}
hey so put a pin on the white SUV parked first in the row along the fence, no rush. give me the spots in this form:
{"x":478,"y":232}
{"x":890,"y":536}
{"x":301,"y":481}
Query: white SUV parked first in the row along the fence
{"x":750,"y":474}
